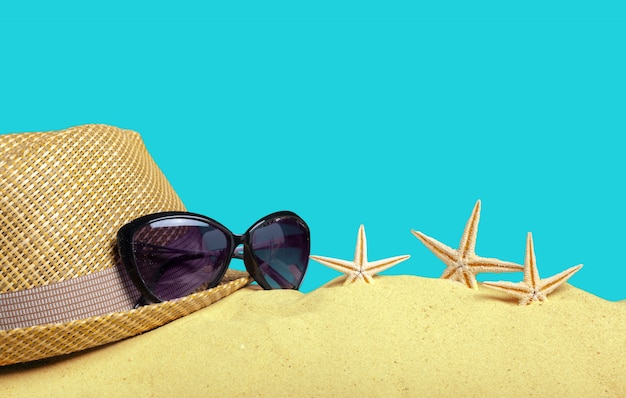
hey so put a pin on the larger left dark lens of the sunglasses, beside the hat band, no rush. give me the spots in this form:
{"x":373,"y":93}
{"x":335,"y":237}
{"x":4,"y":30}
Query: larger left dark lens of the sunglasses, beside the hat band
{"x":176,"y":257}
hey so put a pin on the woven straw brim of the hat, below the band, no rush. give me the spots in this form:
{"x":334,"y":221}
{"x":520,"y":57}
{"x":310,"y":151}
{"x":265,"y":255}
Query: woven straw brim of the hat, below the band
{"x":44,"y":341}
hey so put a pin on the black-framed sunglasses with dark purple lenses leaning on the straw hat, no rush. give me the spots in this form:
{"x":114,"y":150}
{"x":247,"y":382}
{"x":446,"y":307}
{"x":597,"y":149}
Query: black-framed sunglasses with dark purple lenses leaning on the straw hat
{"x":173,"y":254}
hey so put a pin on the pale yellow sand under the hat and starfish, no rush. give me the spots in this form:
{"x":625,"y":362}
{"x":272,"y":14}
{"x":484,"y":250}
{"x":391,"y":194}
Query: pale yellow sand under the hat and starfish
{"x":402,"y":336}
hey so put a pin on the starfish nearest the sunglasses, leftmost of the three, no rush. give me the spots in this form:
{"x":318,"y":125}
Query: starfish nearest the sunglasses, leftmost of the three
{"x":360,"y":268}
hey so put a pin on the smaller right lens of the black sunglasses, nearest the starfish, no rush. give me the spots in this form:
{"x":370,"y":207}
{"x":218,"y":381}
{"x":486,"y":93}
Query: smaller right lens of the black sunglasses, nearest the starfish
{"x":281,"y":250}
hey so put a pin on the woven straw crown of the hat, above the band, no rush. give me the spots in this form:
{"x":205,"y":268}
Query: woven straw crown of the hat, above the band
{"x":63,"y":197}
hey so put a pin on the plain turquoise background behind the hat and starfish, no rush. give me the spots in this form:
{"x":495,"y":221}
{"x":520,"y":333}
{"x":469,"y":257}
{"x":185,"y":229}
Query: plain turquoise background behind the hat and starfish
{"x":394,"y":114}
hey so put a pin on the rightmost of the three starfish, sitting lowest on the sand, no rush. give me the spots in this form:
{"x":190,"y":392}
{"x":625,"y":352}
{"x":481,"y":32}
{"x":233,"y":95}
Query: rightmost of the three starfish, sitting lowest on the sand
{"x":533,"y":288}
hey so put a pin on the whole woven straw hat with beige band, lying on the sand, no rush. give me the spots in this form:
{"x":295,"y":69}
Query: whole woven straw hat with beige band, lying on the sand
{"x":63,"y":196}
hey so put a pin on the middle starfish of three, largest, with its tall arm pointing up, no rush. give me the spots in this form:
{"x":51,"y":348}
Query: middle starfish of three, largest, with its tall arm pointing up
{"x":463,"y":264}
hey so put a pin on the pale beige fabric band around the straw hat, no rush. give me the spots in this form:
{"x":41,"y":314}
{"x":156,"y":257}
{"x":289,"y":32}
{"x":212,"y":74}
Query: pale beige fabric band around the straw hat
{"x":95,"y":294}
